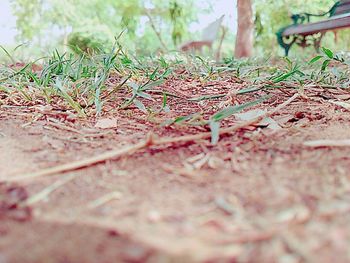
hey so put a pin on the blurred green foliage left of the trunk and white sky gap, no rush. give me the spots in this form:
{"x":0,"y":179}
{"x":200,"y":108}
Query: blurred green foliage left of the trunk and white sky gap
{"x":86,"y":25}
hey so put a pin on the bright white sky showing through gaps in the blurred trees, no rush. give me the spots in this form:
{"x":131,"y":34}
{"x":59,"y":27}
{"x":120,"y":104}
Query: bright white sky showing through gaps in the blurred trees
{"x":220,"y":7}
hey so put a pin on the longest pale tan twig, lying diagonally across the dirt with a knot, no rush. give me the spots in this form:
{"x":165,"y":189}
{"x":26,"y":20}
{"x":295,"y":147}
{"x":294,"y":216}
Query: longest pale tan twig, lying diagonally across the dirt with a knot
{"x":150,"y":141}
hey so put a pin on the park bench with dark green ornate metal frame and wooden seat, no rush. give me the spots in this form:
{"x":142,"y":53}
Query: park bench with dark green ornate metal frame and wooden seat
{"x":305,"y":32}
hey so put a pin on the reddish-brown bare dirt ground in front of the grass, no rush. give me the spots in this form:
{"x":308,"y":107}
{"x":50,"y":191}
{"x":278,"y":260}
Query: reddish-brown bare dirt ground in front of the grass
{"x":259,"y":195}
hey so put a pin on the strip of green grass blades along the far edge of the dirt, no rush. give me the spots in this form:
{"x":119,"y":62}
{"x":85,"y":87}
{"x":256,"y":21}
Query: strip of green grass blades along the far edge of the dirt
{"x":84,"y":83}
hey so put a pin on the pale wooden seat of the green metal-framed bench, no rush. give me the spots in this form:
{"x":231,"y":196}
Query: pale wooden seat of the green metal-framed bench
{"x":334,"y":22}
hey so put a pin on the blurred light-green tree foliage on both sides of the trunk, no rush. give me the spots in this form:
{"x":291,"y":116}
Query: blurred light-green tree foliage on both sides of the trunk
{"x":149,"y":25}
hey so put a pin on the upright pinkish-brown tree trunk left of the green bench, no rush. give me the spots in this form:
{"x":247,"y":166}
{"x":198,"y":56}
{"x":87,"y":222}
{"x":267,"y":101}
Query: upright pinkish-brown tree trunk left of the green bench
{"x":245,"y":31}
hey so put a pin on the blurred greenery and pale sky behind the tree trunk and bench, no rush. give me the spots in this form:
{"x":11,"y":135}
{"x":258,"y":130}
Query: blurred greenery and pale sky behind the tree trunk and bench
{"x":148,"y":26}
